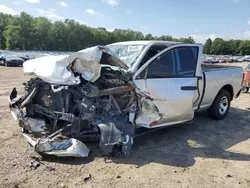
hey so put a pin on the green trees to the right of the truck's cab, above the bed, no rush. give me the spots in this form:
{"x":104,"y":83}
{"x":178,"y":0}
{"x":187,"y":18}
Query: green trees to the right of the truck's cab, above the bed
{"x":227,"y":47}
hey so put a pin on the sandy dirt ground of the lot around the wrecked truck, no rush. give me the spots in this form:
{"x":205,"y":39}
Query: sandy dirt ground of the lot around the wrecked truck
{"x":205,"y":153}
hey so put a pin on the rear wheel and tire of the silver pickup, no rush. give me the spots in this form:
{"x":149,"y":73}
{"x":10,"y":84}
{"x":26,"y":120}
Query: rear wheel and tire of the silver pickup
{"x":220,"y":107}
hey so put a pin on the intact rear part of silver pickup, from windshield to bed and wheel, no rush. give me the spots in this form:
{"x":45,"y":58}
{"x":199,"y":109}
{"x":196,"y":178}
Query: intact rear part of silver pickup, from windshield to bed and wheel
{"x":172,"y":74}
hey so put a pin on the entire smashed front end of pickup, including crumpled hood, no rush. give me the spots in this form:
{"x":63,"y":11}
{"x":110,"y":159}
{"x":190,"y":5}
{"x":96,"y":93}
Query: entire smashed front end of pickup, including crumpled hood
{"x":82,"y":97}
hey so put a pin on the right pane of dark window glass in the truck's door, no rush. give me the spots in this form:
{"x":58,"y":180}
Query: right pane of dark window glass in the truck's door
{"x":186,"y":61}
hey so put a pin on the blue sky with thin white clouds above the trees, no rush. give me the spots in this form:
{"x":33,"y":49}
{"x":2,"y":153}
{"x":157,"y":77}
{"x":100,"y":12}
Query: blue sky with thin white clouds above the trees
{"x":179,"y":18}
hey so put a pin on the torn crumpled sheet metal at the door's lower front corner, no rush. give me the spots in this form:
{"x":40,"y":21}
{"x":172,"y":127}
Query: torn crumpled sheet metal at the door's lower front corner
{"x":149,"y":113}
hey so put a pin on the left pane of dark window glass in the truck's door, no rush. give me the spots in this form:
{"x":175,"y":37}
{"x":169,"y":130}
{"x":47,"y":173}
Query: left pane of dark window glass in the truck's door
{"x":162,"y":67}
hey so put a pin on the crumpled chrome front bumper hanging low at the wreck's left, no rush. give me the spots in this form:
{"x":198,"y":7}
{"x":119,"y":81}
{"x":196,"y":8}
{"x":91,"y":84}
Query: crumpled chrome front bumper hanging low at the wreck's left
{"x":34,"y":131}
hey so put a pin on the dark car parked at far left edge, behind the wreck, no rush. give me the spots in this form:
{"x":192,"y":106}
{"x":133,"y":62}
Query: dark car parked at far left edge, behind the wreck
{"x":10,"y":60}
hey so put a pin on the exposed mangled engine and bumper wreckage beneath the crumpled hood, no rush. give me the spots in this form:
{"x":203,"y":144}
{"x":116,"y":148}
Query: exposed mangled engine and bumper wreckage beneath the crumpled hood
{"x":75,"y":113}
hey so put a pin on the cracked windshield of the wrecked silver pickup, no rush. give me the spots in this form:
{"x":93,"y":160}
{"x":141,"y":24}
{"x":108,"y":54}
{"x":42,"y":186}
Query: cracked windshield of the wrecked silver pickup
{"x":127,"y":53}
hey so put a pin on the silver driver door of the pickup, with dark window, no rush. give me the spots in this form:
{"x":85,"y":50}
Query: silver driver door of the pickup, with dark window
{"x":170,"y":79}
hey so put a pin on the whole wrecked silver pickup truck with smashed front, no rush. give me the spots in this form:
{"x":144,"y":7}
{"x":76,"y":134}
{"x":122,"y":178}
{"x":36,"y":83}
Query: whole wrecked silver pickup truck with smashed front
{"x":111,"y":92}
